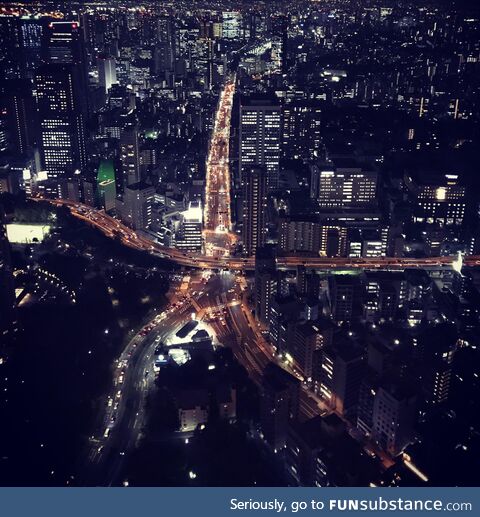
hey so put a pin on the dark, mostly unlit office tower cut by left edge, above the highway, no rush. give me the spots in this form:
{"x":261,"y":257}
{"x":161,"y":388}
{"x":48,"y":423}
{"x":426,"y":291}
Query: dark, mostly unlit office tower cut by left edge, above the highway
{"x":16,"y":111}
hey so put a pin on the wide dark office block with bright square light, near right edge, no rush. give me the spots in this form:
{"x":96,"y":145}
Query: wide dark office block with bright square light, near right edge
{"x":437,"y":199}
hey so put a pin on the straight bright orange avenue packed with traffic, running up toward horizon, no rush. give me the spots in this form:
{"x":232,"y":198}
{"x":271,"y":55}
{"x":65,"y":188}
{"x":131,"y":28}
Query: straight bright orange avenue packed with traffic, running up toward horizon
{"x":217,"y":236}
